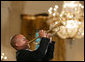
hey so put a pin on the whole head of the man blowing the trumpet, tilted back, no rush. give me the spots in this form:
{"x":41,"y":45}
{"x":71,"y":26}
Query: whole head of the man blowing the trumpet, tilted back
{"x":19,"y":42}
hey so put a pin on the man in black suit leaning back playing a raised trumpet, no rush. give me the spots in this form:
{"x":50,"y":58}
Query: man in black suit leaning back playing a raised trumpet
{"x":45,"y":51}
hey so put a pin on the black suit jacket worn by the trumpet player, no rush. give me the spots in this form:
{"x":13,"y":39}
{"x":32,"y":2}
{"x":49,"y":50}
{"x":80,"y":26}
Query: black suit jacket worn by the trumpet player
{"x":43,"y":53}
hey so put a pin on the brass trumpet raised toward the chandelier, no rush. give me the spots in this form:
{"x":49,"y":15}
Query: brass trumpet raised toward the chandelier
{"x":55,"y":26}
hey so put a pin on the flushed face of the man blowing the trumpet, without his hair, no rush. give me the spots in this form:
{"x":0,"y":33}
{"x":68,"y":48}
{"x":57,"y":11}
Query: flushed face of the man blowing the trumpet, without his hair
{"x":21,"y":40}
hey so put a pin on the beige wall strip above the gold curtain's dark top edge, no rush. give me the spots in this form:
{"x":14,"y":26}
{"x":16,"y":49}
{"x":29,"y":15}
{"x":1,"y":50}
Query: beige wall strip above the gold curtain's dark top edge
{"x":35,"y":7}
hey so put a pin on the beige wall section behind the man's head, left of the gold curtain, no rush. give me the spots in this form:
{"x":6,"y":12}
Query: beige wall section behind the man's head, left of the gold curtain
{"x":10,"y":25}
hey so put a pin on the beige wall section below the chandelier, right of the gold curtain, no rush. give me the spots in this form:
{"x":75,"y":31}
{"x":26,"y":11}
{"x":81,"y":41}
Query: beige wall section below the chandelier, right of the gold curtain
{"x":75,"y":51}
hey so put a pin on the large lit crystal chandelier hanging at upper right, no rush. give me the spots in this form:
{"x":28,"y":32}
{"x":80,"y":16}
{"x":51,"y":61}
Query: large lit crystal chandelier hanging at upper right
{"x":72,"y":18}
